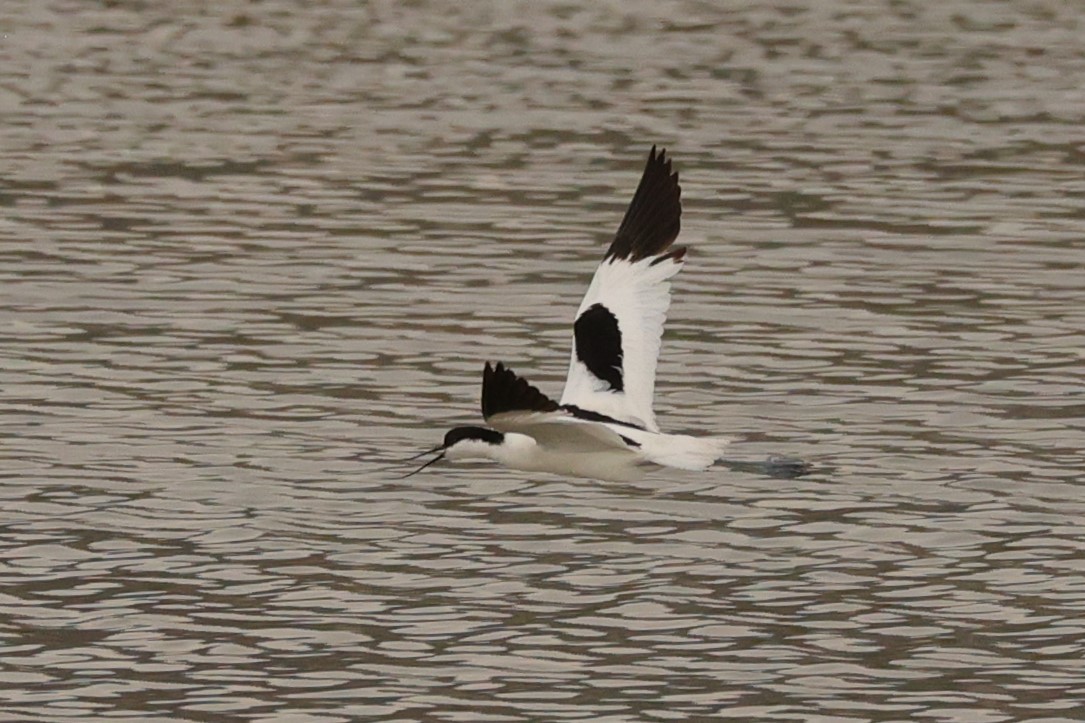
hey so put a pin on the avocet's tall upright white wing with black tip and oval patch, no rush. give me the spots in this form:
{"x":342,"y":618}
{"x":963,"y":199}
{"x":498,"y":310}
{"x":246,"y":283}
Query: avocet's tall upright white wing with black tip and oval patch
{"x":620,"y":325}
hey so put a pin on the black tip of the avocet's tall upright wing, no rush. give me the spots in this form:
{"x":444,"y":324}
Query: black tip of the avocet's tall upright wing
{"x":654,"y":220}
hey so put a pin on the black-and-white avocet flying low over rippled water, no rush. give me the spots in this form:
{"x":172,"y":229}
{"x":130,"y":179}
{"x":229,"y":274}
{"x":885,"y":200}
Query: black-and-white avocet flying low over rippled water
{"x":604,"y":427}
